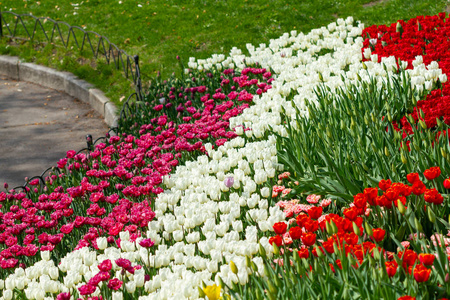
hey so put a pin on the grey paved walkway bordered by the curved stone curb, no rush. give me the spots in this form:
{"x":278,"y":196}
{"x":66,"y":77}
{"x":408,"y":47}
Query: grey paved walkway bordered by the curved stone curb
{"x":37,"y":126}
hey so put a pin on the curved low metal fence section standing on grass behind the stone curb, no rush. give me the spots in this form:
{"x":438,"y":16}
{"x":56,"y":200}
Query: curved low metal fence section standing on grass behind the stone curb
{"x":31,"y":28}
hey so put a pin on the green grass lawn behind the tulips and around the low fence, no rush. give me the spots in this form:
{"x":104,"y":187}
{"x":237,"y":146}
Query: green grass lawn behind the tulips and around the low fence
{"x":160,"y":30}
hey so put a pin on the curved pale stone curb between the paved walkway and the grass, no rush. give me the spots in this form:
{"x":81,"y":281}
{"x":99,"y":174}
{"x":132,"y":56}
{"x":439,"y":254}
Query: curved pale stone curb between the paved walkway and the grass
{"x":12,"y":67}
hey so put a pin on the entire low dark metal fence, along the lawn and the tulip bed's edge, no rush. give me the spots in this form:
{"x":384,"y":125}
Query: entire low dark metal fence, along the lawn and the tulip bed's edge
{"x":30,"y":28}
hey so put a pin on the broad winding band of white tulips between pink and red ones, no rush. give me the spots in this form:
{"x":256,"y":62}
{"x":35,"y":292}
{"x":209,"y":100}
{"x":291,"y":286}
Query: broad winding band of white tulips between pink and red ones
{"x":202,"y":224}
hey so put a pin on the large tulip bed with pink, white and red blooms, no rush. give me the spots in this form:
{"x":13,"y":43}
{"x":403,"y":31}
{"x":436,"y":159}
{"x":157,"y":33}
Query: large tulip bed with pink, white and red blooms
{"x":192,"y":194}
